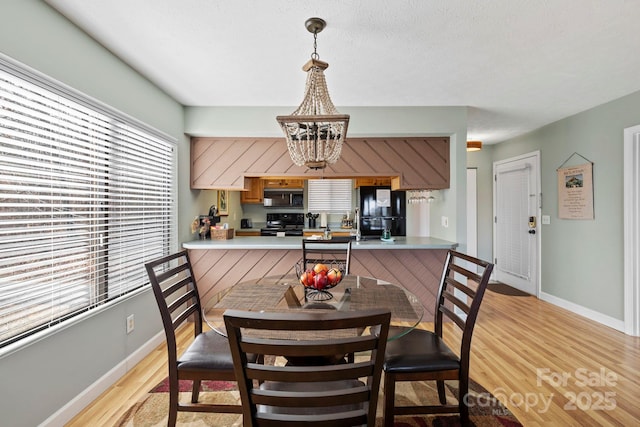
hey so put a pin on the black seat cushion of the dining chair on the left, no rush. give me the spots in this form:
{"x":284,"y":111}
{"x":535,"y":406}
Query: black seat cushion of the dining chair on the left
{"x":209,"y":350}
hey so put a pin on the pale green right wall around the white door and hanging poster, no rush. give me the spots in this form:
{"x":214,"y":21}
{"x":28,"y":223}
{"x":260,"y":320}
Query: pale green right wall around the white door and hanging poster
{"x":582,"y":260}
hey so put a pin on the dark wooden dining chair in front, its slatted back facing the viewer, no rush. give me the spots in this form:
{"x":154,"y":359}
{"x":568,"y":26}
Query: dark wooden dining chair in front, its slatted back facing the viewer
{"x":308,"y":394}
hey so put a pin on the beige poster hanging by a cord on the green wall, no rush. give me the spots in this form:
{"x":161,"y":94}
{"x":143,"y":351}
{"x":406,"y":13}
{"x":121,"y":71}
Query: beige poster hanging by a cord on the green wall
{"x":575,"y":192}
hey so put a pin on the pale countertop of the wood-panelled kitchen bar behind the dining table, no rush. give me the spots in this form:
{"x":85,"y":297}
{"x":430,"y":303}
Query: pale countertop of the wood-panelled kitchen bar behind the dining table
{"x":293,"y":243}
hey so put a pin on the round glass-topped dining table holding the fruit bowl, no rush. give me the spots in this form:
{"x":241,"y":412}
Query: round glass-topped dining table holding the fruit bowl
{"x":285,"y":293}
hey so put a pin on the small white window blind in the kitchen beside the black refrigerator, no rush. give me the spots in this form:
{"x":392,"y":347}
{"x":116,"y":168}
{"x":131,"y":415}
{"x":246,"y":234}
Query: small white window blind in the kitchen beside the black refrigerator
{"x":330,"y":195}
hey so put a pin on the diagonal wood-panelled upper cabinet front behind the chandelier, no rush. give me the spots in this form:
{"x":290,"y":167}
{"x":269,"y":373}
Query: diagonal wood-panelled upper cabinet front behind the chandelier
{"x":411,"y":163}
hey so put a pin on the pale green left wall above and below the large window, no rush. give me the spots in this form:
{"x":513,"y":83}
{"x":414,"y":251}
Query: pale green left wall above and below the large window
{"x":41,"y":377}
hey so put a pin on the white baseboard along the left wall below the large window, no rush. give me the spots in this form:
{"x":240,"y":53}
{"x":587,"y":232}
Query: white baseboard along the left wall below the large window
{"x":91,"y":393}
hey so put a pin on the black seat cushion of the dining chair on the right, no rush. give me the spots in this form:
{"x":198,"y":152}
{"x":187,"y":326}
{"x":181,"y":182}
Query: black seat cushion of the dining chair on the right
{"x":419,"y":351}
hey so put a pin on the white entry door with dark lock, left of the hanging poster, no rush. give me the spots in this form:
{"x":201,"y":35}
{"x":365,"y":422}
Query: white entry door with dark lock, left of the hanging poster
{"x":516,"y":221}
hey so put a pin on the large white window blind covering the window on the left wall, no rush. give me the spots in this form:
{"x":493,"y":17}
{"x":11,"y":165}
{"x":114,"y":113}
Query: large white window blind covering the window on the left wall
{"x":86,"y":198}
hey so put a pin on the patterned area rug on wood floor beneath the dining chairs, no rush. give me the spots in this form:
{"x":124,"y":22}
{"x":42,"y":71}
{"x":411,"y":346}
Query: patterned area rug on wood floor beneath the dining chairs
{"x":151,"y":411}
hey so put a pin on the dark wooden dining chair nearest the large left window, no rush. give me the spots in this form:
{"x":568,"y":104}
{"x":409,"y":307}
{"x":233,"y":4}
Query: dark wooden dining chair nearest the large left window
{"x":208,"y":356}
